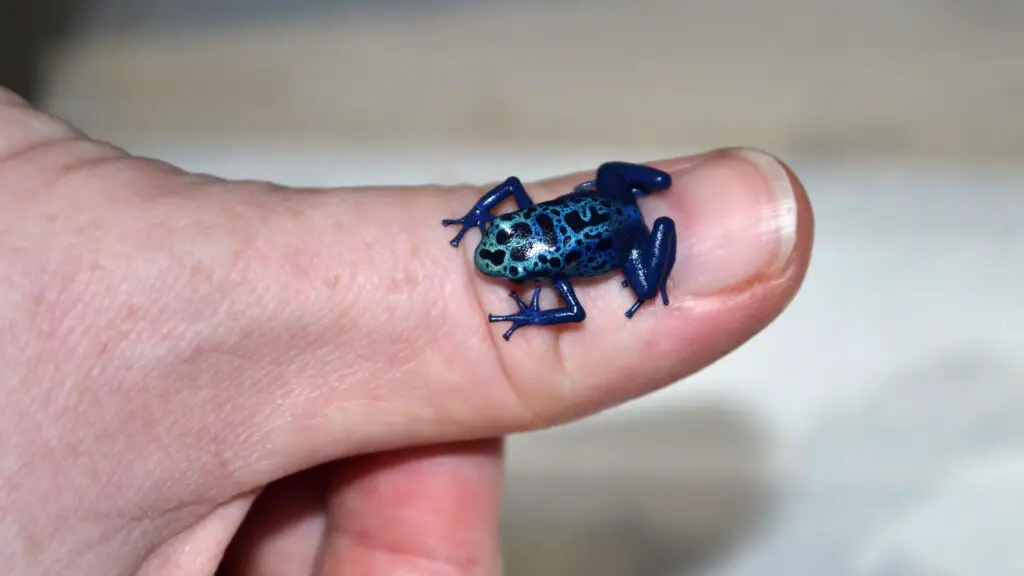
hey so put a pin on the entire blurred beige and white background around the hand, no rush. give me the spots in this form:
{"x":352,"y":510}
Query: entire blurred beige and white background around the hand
{"x":876,"y":429}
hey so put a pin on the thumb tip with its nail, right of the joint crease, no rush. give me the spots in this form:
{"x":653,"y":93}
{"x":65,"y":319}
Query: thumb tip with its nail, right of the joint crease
{"x":746,"y":229}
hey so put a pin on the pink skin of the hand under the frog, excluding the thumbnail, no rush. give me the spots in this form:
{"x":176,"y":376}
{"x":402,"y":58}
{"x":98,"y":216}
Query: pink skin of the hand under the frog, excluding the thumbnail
{"x":300,"y":382}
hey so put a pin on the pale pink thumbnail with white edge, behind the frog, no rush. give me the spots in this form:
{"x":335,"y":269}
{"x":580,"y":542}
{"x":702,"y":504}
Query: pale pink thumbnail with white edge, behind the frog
{"x":736,"y":215}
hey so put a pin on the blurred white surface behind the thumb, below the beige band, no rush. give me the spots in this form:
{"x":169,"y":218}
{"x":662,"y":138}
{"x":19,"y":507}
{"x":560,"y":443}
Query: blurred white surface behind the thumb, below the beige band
{"x":891,"y":393}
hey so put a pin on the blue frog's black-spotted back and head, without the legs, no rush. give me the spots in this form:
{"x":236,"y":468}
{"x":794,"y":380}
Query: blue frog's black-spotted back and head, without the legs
{"x":578,"y":235}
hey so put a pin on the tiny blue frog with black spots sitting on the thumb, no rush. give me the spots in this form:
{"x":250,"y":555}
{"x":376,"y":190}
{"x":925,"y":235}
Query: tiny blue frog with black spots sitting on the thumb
{"x":595,"y":230}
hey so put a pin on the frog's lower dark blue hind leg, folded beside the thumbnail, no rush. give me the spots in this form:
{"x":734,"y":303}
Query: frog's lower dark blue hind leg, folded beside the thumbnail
{"x":651,"y":263}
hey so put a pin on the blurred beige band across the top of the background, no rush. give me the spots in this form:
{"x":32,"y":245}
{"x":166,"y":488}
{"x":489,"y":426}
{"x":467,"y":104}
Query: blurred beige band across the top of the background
{"x":877,"y":77}
